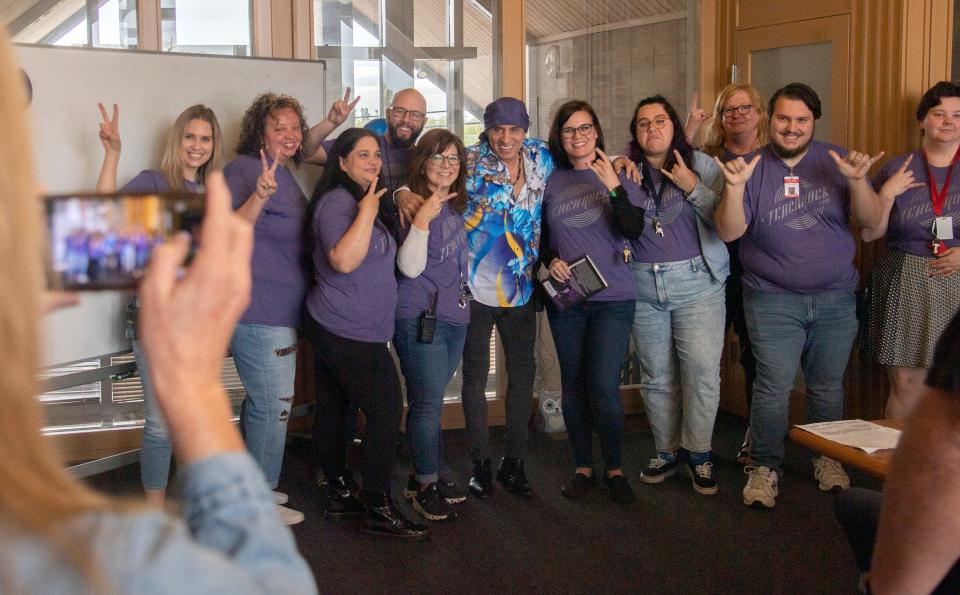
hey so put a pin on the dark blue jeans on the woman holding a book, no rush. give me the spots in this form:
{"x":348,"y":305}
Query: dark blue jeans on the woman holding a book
{"x":591,"y":340}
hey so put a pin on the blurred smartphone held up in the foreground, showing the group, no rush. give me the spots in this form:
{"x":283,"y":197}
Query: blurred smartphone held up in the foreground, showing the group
{"x":104,"y":241}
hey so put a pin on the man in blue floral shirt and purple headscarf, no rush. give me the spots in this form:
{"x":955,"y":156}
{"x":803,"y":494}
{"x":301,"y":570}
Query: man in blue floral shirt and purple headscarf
{"x":506,"y":176}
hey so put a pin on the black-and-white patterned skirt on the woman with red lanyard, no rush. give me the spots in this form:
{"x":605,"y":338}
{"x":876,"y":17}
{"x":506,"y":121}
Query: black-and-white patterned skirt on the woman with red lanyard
{"x":908,"y":309}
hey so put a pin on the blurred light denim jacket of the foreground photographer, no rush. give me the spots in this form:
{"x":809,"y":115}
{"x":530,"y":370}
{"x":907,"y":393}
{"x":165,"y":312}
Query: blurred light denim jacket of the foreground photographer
{"x":230,"y":541}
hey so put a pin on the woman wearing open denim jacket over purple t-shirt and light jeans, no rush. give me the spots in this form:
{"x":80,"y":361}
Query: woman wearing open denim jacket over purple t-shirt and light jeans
{"x":680,"y":266}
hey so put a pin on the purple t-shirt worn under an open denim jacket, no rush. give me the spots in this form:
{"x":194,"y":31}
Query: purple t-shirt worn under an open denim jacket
{"x":680,"y":239}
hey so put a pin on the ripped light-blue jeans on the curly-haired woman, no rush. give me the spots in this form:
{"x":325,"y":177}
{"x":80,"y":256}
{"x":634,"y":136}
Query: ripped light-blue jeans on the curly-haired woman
{"x":266,"y":359}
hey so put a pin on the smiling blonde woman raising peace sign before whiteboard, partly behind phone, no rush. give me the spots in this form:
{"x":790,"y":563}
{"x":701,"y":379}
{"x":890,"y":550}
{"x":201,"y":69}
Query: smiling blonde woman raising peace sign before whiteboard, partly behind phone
{"x":193,"y":148}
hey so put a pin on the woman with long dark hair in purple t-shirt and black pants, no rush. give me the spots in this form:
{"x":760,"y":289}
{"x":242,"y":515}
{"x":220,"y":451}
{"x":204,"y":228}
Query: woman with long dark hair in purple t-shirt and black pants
{"x":351,"y":308}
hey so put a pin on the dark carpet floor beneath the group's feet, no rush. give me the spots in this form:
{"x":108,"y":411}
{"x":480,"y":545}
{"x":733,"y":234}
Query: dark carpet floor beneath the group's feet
{"x":671,"y":540}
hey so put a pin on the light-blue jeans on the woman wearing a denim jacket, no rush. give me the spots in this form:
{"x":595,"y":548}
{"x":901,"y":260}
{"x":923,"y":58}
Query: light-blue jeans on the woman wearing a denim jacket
{"x":678,"y":334}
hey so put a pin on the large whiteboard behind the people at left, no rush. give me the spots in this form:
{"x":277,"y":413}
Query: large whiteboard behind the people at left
{"x":151,"y":89}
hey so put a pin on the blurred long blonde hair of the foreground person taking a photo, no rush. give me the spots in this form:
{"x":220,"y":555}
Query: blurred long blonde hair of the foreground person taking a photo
{"x":37,"y":496}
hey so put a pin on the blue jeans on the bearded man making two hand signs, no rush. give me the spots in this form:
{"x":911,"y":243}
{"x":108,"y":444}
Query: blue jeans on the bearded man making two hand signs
{"x":815,"y":331}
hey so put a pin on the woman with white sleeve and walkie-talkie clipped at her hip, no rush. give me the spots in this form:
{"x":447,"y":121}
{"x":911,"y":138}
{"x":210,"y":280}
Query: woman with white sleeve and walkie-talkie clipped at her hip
{"x":433,"y":282}
